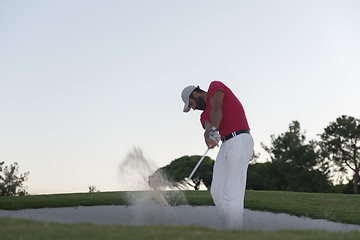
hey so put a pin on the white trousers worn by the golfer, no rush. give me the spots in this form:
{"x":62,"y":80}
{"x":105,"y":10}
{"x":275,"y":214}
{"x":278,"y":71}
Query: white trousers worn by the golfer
{"x":229,"y":179}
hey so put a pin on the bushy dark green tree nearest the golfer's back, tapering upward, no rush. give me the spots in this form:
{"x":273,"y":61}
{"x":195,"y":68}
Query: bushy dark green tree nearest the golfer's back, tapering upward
{"x":295,"y":165}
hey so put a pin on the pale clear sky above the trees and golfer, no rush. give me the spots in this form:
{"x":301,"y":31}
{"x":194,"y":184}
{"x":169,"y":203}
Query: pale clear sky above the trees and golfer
{"x":83,"y":82}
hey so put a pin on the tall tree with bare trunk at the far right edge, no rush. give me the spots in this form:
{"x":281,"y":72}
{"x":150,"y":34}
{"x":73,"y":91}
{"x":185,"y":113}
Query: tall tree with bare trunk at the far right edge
{"x":340,"y":144}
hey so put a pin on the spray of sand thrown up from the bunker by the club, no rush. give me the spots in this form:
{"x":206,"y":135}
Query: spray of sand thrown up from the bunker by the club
{"x":148,"y":198}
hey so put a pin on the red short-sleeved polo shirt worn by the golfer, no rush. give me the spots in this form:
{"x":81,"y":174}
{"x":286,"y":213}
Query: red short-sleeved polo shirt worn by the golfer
{"x":233,"y":118}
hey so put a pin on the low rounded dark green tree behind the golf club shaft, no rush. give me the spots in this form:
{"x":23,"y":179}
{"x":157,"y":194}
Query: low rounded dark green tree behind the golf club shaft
{"x":180,"y":168}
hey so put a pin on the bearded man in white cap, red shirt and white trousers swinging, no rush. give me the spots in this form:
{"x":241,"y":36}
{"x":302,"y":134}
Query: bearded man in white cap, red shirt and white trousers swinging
{"x":223,"y":118}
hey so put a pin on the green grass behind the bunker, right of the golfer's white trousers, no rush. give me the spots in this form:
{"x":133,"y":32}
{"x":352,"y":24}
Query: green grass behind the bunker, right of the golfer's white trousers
{"x":333,"y":207}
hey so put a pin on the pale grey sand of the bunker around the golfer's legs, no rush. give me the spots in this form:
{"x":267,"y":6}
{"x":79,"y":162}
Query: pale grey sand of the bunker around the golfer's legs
{"x":179,"y":215}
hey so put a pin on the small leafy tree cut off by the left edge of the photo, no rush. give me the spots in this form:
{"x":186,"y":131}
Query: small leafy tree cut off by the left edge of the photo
{"x":11,"y":182}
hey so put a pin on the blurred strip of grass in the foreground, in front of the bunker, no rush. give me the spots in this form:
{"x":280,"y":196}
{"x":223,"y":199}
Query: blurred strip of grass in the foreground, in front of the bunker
{"x":25,"y":229}
